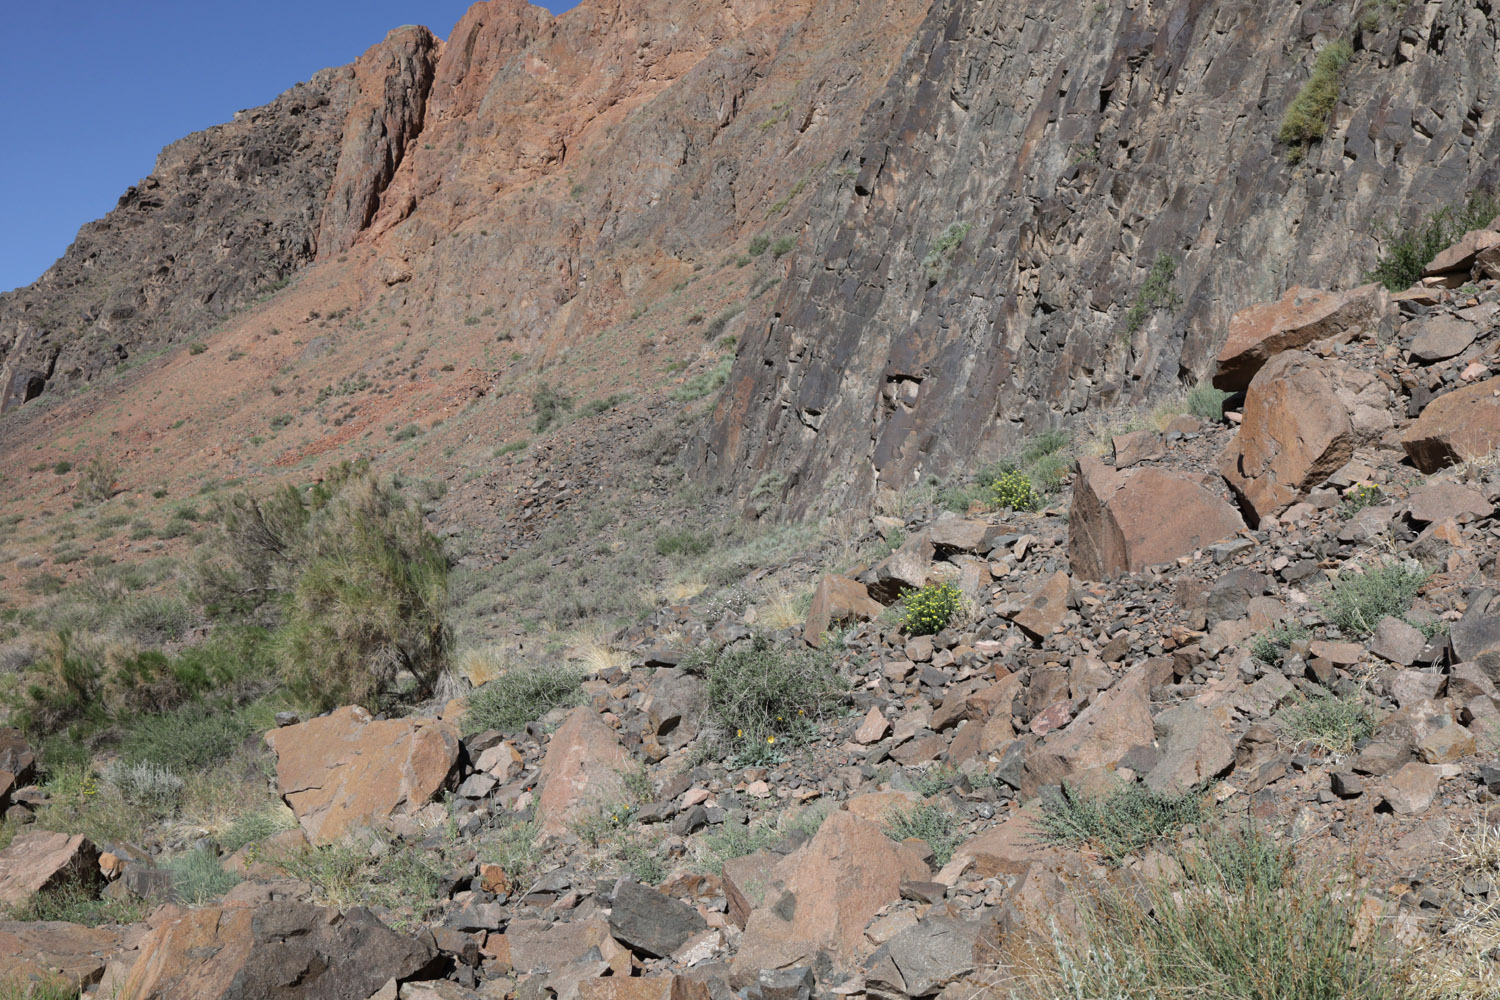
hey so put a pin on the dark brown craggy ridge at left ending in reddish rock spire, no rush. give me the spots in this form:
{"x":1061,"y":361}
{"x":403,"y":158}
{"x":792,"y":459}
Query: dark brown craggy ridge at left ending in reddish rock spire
{"x":227,"y":217}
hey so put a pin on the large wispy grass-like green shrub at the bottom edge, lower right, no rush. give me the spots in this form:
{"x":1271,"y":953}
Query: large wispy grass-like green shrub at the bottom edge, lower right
{"x":1237,"y":926}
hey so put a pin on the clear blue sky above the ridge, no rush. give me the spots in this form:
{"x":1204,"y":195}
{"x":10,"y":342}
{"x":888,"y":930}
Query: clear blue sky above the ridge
{"x":95,"y":89}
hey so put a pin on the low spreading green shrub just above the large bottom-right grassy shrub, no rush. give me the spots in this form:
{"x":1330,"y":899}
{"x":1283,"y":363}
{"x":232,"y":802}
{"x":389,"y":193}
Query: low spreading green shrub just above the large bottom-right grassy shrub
{"x":1117,"y":825}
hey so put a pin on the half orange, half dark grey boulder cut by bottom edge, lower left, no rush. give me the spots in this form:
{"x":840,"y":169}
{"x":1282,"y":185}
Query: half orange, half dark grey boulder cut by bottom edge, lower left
{"x":278,"y":950}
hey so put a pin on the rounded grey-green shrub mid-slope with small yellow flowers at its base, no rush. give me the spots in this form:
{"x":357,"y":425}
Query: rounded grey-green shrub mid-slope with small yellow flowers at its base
{"x":763,"y":695}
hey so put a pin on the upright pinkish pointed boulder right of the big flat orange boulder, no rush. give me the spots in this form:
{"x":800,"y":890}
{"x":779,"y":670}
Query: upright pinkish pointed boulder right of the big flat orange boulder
{"x":581,"y":773}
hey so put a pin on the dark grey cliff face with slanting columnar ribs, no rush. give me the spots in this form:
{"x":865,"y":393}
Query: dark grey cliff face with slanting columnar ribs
{"x":1079,"y":143}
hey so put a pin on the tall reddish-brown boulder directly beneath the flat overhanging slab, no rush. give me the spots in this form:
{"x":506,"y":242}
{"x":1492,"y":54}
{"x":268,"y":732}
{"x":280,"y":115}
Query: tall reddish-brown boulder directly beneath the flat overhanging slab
{"x":1304,"y":416}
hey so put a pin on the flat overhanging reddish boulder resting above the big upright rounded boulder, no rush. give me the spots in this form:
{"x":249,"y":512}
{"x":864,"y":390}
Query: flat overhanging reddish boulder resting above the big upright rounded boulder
{"x":1303,"y":316}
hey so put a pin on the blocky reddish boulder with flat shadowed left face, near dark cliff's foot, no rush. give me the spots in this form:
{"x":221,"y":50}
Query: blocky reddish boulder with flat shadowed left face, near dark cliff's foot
{"x":1126,"y":521}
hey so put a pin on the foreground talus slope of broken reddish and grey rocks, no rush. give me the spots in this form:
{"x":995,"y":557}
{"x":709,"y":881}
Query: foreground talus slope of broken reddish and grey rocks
{"x":1136,"y":638}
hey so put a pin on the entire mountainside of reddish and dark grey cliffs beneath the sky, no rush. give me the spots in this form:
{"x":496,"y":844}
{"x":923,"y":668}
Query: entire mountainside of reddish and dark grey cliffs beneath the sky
{"x":965,"y":203}
